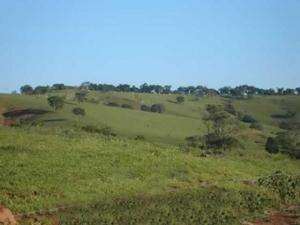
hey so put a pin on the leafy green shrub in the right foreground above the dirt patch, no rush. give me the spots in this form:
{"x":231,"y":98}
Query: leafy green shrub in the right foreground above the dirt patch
{"x":282,"y":184}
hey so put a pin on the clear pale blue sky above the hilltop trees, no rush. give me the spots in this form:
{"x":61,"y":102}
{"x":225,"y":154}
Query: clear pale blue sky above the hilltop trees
{"x":191,"y":42}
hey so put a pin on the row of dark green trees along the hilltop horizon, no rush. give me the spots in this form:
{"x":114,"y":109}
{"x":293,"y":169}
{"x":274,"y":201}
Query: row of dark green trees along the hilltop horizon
{"x":238,"y":91}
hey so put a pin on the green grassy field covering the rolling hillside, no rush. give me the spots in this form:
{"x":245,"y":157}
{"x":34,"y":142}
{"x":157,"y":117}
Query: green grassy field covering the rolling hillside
{"x":109,"y":180}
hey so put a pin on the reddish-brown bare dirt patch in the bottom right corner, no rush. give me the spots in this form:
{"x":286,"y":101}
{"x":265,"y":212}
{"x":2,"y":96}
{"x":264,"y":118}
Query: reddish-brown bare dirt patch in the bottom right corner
{"x":288,"y":216}
